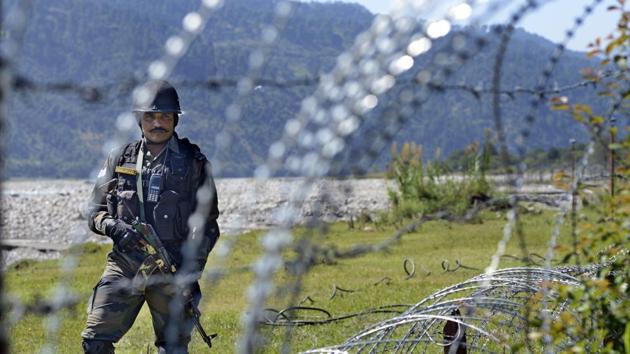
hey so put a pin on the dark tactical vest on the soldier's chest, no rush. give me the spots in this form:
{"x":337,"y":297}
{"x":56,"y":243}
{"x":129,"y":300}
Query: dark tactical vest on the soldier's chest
{"x":177,"y":195}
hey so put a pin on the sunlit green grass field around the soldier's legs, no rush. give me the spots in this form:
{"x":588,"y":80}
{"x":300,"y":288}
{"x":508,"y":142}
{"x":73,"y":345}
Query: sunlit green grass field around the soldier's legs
{"x":471,"y":244}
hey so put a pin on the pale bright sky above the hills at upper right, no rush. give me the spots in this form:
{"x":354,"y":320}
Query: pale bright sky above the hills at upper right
{"x":551,"y":20}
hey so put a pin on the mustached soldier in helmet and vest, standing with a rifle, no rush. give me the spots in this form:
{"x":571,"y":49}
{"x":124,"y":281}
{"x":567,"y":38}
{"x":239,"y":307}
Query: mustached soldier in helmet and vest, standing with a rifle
{"x":154,"y":180}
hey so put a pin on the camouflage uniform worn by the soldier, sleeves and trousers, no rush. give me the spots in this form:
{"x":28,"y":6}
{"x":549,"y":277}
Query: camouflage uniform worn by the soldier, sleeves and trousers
{"x":114,"y":305}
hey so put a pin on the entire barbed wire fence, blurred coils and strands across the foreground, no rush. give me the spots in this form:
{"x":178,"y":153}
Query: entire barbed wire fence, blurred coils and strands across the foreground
{"x":479,"y":309}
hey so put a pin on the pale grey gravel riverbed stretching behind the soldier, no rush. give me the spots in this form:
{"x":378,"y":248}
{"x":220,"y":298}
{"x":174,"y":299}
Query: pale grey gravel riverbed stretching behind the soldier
{"x":53,"y":211}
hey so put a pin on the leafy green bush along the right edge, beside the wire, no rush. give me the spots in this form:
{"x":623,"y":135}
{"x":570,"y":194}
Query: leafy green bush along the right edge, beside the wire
{"x":596,"y":314}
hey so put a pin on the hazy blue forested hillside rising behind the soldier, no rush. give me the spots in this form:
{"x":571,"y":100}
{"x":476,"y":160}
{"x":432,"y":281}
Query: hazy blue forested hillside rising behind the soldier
{"x":109,"y":44}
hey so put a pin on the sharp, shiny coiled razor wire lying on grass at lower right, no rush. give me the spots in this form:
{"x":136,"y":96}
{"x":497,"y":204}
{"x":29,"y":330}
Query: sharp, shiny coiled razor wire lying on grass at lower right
{"x":502,"y":301}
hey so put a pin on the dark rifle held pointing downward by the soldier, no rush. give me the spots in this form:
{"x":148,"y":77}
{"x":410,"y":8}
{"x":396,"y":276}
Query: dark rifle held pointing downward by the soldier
{"x":155,"y":249}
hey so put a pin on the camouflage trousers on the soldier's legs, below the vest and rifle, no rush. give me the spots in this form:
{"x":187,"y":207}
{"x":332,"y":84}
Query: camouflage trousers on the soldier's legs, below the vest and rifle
{"x":113,"y":307}
